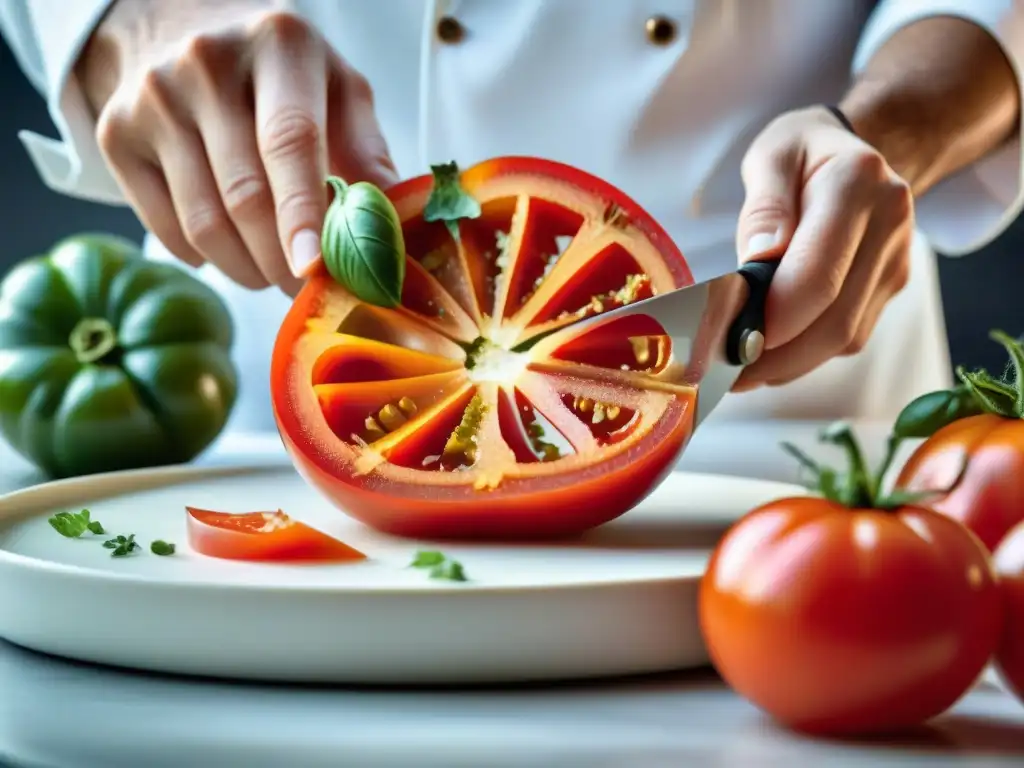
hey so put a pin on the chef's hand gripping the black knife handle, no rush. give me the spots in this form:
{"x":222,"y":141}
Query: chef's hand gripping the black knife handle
{"x":844,"y":222}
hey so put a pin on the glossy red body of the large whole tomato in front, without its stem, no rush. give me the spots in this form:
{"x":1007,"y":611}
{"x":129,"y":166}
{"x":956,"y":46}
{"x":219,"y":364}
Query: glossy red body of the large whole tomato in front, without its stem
{"x":840,"y":621}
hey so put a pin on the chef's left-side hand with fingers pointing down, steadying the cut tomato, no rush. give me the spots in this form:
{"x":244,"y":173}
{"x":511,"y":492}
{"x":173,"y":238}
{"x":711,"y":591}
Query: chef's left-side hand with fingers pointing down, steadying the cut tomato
{"x":221,"y":121}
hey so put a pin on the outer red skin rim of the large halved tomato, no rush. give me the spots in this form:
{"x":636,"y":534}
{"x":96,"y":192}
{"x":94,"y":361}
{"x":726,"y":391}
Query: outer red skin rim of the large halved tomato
{"x":558,"y":505}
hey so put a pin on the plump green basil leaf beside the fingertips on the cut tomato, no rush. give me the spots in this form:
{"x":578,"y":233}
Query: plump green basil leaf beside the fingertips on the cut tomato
{"x":363,"y":244}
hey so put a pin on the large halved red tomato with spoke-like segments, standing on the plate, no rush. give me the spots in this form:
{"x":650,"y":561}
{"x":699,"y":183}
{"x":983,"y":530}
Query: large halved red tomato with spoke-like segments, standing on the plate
{"x":471,"y":411}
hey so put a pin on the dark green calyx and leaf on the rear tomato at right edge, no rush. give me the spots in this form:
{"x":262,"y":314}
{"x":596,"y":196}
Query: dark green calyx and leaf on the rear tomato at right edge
{"x":978,"y":393}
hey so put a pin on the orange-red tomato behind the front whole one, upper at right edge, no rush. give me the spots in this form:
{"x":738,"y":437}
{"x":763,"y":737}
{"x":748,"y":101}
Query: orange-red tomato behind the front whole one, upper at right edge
{"x":990,"y":498}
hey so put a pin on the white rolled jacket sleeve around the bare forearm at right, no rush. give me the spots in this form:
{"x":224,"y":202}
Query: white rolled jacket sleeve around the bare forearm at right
{"x":971,"y":208}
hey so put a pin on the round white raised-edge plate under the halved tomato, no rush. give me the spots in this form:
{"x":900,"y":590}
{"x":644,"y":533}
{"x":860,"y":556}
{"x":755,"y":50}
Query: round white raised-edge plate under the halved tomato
{"x":623,"y":601}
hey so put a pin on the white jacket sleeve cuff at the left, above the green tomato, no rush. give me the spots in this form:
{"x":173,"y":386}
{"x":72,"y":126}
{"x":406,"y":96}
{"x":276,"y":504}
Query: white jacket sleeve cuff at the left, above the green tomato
{"x":47,"y":37}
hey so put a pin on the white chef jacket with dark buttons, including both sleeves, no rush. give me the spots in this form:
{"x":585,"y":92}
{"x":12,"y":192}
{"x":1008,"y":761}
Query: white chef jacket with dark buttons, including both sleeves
{"x":582,"y":82}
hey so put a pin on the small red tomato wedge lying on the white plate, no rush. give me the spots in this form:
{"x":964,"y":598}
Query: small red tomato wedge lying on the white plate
{"x":263,"y":536}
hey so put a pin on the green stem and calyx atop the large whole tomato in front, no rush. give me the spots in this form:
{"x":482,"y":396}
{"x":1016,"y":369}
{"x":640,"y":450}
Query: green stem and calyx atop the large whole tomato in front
{"x":859,"y":487}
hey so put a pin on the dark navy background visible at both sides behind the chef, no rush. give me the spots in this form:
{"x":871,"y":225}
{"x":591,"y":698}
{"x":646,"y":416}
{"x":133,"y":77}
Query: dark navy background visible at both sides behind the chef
{"x":982,"y":292}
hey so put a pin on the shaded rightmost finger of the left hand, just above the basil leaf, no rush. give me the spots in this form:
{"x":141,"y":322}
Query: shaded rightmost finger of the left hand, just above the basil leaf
{"x":357,"y":149}
